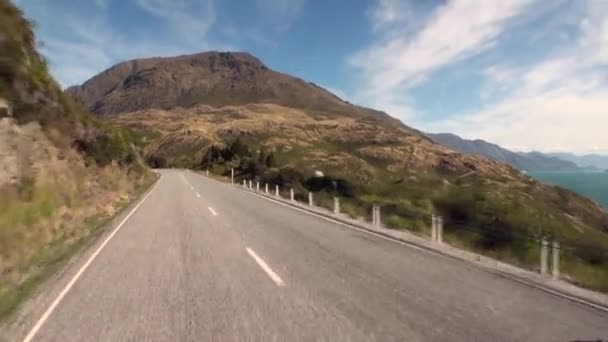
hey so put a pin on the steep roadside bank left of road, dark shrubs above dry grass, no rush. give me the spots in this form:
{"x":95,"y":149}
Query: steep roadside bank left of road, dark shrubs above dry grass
{"x":62,"y":172}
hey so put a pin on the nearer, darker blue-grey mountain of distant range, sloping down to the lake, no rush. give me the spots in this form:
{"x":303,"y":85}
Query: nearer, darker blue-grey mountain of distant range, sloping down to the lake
{"x":532,"y":161}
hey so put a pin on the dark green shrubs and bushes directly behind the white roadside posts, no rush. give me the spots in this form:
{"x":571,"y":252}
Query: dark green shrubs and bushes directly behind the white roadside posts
{"x":478,"y":217}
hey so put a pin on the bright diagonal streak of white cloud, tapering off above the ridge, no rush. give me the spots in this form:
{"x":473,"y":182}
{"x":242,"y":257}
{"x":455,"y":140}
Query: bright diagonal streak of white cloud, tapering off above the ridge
{"x":457,"y":30}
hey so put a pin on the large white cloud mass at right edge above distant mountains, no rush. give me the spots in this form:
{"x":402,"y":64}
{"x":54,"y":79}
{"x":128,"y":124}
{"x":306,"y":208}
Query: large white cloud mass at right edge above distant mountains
{"x":558,"y":104}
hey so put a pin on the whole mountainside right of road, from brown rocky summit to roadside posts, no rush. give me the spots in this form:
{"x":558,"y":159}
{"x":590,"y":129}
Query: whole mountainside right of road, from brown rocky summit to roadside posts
{"x":366,"y":156}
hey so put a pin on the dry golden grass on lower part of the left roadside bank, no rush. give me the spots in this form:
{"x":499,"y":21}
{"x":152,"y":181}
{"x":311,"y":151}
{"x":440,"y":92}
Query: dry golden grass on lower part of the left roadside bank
{"x":48,"y":201}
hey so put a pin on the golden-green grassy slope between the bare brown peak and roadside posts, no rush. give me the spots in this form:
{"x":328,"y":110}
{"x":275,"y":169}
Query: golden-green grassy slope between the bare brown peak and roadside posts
{"x":495,"y":211}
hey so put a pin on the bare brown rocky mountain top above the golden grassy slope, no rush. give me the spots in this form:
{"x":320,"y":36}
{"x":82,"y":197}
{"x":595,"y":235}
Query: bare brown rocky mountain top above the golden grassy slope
{"x":212,"y":78}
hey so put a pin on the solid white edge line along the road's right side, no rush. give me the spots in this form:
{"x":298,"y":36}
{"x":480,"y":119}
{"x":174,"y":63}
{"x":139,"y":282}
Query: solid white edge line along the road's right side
{"x":495,"y":272}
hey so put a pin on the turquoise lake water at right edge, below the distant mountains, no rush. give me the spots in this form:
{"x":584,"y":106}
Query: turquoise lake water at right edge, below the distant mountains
{"x":590,"y":184}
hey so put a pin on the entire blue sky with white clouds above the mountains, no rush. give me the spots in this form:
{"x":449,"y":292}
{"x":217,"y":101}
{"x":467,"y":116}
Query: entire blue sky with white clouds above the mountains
{"x":526,"y":74}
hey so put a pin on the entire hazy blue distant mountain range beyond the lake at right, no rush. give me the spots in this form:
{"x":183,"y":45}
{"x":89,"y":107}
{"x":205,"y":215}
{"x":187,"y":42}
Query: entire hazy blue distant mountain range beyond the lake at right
{"x":530,"y":161}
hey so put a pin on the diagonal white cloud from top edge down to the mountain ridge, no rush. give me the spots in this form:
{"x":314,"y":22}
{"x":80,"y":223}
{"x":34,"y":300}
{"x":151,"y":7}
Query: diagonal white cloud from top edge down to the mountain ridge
{"x":400,"y":59}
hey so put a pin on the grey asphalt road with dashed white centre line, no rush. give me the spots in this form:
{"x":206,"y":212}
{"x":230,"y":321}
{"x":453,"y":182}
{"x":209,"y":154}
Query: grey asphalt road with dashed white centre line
{"x":204,"y":261}
